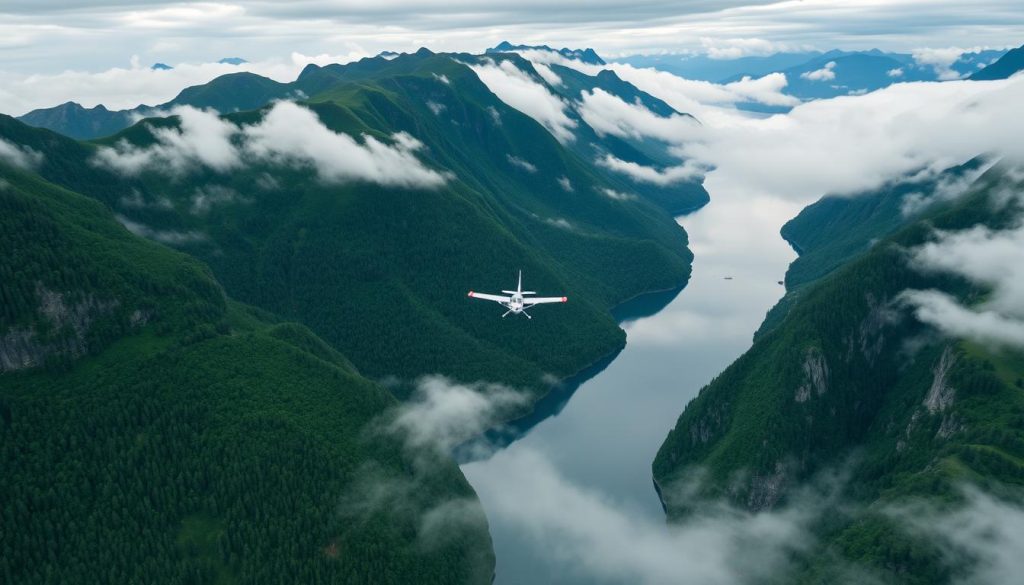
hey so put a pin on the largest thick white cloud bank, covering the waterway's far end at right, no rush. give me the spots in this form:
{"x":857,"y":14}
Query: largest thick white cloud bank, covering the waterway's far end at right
{"x":851,"y":145}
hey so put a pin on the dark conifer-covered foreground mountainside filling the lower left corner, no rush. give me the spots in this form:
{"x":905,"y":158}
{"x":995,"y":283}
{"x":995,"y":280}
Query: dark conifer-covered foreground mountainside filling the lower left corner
{"x":177,"y":436}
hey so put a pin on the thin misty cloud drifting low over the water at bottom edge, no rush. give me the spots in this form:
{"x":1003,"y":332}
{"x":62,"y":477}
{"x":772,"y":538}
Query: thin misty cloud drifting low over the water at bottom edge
{"x":599,"y":539}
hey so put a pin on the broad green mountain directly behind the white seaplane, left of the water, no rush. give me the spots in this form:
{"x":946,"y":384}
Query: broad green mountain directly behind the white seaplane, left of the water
{"x":381,"y":272}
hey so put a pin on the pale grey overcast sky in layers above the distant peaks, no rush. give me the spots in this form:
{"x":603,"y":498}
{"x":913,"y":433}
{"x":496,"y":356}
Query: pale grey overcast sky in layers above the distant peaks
{"x":51,"y":36}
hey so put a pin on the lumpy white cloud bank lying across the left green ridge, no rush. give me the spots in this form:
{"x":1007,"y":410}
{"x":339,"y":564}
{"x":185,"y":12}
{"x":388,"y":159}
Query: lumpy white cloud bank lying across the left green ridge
{"x":288,"y":135}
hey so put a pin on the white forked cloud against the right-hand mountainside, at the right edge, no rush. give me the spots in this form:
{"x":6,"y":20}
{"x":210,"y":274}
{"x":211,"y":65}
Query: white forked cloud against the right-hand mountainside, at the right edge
{"x":992,"y":259}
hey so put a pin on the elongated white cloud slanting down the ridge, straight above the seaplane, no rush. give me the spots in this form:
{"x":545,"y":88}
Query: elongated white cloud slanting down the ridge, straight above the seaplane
{"x":520,"y":91}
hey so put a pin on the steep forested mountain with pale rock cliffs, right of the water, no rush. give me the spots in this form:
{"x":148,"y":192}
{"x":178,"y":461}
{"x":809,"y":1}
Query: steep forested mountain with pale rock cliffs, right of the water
{"x":851,"y":384}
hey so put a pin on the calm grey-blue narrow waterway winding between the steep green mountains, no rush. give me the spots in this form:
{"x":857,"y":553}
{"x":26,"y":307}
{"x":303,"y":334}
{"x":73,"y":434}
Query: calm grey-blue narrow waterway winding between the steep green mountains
{"x":571,"y":500}
